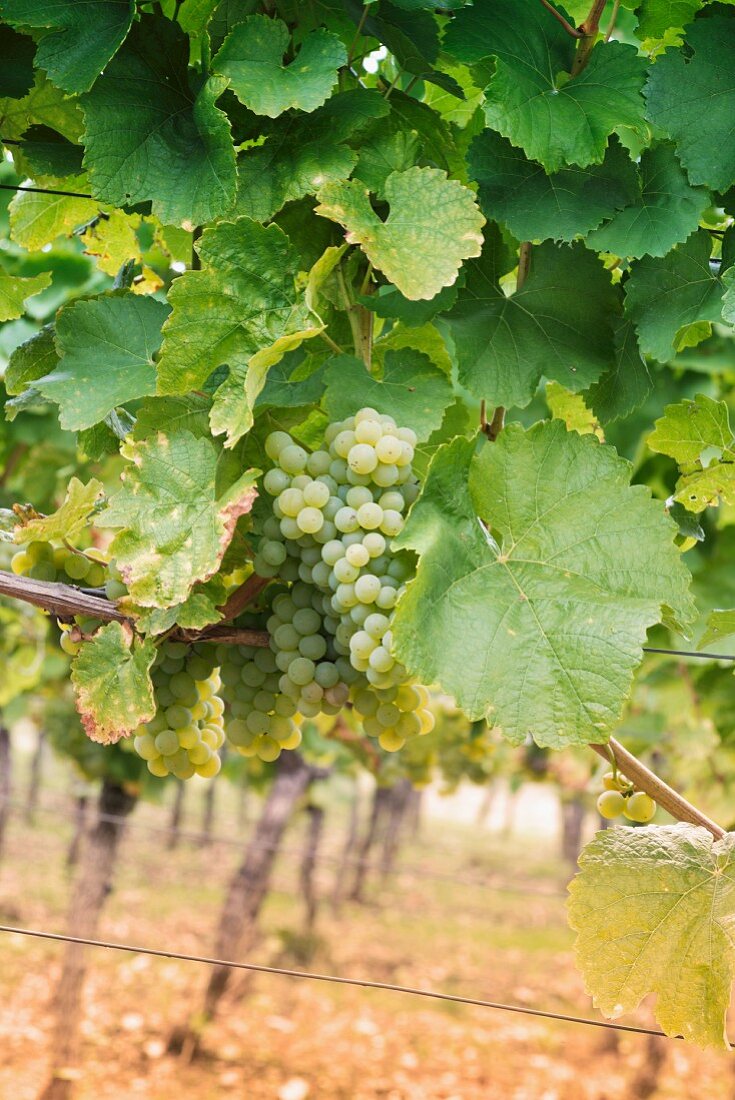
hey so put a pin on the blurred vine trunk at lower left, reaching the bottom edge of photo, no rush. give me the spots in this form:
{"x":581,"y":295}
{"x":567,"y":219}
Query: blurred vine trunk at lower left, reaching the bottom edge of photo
{"x":92,"y":888}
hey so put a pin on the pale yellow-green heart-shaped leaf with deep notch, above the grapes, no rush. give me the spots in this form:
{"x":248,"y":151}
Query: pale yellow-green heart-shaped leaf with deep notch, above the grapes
{"x":434,"y":224}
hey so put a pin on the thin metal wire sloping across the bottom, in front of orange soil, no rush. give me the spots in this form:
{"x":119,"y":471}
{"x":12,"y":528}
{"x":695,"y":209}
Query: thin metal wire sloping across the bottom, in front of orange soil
{"x":331,"y":978}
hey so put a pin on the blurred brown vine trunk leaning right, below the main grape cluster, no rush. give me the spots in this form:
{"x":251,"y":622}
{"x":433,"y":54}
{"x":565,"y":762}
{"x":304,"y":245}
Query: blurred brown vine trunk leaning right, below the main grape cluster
{"x":248,"y":890}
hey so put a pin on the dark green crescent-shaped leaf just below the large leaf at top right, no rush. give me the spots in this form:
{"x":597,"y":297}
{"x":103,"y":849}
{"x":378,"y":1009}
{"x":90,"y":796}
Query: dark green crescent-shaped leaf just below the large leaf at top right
{"x":536,"y":206}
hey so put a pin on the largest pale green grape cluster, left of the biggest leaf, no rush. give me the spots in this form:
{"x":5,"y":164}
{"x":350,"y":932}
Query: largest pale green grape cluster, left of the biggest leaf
{"x":334,"y":514}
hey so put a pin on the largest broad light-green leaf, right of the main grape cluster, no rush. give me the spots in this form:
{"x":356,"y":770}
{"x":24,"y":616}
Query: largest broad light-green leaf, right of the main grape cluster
{"x":556,"y":617}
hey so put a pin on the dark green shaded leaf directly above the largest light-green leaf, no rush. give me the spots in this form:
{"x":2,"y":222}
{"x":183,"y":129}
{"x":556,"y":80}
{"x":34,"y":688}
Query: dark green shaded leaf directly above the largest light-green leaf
{"x":560,"y":325}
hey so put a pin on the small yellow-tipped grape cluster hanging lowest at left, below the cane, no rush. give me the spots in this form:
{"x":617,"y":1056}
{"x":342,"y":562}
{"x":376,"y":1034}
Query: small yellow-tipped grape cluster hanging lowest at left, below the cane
{"x":189,"y":729}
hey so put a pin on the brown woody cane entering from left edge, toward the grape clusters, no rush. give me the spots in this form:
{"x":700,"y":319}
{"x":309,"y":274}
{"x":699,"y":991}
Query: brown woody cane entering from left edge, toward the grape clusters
{"x":64,"y":602}
